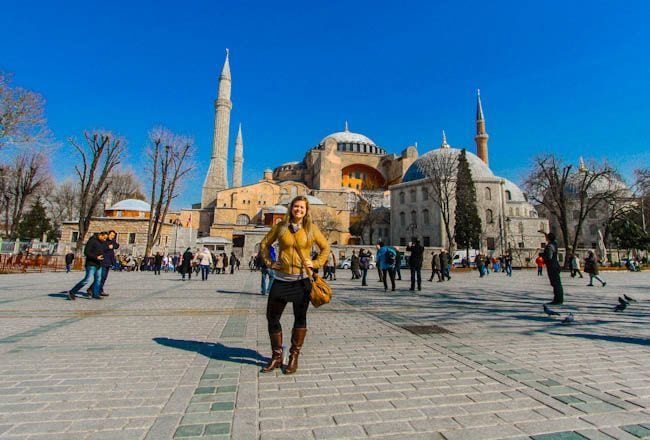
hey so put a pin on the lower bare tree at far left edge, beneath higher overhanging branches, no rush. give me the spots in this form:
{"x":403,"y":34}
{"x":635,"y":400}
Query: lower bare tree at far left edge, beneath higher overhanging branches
{"x":22,"y":180}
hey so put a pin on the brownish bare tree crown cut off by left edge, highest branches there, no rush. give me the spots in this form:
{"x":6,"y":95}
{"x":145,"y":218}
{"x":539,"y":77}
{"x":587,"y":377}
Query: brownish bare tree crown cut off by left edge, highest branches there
{"x":22,"y":116}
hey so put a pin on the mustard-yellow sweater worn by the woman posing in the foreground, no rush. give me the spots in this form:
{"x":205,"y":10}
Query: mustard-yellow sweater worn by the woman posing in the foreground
{"x":288,"y":257}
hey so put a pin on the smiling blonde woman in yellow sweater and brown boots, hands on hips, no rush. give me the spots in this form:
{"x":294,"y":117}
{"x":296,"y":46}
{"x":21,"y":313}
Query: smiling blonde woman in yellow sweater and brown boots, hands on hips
{"x":295,"y":234}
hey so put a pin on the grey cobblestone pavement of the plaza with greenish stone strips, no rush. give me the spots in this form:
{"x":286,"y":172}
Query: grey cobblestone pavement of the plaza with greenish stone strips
{"x":466,"y":359}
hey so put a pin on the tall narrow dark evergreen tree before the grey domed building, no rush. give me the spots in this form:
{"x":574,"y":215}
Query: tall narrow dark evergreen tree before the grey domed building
{"x":467,"y":230}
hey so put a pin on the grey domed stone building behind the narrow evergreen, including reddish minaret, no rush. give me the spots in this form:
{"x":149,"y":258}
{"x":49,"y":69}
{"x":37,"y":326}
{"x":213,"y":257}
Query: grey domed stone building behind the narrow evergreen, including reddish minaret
{"x":508,"y":221}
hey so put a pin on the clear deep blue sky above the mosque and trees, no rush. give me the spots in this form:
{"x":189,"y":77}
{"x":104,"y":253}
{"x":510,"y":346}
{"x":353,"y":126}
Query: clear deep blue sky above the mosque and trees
{"x":570,"y":77}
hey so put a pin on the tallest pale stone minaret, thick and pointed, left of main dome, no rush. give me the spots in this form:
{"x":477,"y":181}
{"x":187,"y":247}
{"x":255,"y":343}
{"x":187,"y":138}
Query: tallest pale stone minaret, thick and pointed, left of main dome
{"x":217,"y":177}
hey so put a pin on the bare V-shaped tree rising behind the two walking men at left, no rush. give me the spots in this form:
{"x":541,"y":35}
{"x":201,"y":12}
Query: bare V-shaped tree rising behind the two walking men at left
{"x":101,"y":153}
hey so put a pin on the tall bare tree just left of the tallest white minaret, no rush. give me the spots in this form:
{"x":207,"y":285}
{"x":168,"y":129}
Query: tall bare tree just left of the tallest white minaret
{"x":169,"y":158}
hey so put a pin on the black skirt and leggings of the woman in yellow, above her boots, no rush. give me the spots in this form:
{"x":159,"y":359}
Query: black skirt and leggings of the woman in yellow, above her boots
{"x":283,"y":292}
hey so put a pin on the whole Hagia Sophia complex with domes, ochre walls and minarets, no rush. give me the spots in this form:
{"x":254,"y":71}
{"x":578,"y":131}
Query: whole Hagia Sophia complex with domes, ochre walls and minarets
{"x":334,"y":174}
